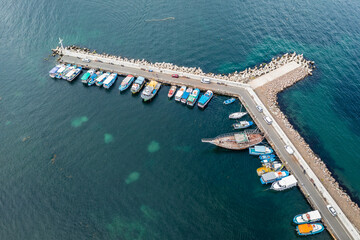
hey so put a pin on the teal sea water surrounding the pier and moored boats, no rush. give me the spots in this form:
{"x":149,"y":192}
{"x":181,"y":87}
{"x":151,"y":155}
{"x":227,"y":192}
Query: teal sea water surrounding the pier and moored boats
{"x":80,"y":163}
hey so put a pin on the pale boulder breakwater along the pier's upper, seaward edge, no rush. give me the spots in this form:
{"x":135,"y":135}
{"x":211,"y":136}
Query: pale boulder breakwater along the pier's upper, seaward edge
{"x":241,"y":77}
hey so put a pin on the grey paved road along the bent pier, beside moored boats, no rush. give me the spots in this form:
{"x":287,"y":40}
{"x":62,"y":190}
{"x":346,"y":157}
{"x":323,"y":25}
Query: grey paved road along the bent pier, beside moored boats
{"x":272,"y":134}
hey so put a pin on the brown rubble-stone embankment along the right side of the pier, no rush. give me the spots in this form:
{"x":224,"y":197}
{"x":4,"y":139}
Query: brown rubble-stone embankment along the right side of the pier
{"x":268,"y":94}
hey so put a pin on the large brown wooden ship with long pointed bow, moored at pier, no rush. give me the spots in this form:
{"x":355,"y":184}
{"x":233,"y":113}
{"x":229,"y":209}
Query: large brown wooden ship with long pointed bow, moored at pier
{"x":236,"y":141}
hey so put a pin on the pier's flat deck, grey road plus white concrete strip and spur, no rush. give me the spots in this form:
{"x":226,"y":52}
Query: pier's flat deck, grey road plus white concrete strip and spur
{"x":313,"y":189}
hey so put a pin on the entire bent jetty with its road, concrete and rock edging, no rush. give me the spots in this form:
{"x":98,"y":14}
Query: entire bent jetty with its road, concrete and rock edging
{"x":245,"y":85}
